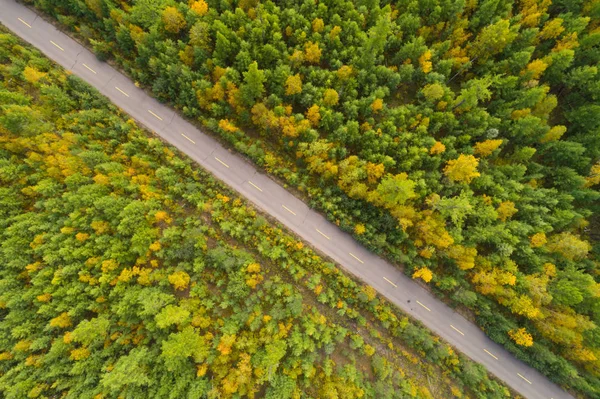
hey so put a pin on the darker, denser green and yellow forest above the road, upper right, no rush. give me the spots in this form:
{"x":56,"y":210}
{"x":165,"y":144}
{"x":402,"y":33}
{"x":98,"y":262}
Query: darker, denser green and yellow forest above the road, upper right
{"x":458,"y":138}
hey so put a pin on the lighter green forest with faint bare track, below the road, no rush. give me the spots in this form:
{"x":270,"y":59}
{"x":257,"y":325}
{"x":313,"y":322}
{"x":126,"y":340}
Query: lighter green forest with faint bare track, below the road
{"x":129,"y":272}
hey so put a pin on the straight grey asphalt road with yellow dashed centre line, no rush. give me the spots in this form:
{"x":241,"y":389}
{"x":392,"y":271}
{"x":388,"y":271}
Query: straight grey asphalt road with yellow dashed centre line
{"x":274,"y":199}
